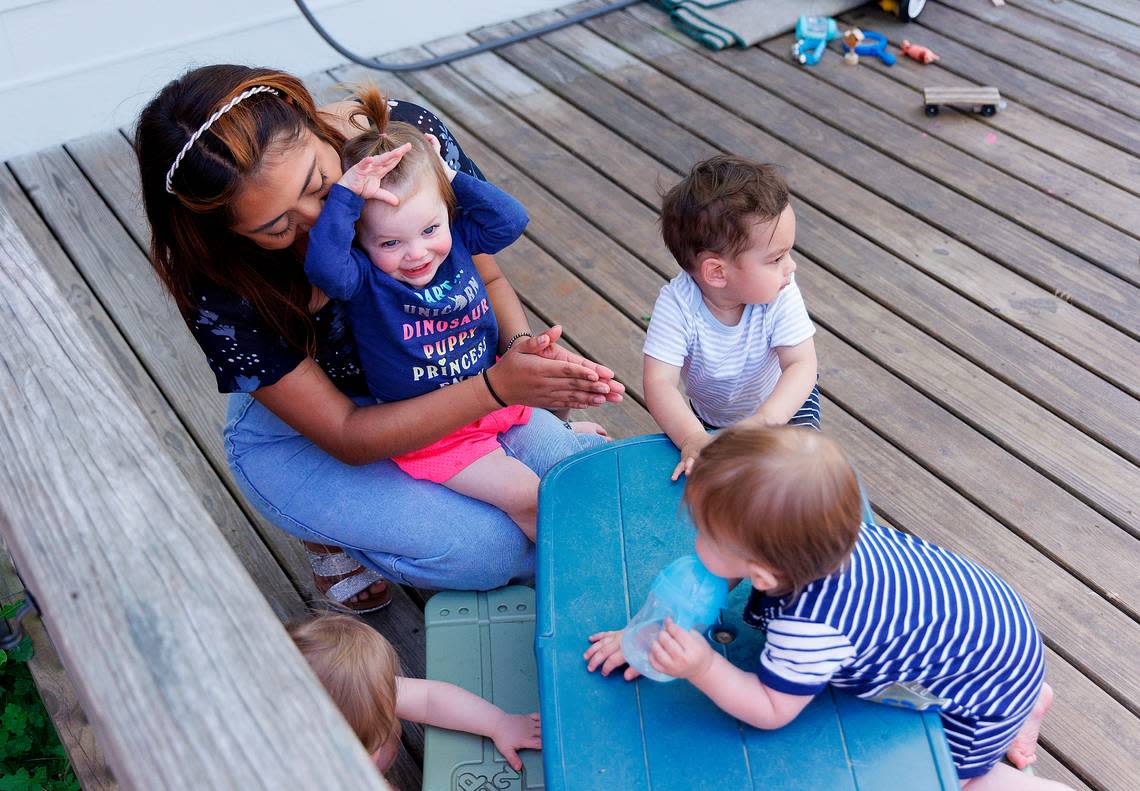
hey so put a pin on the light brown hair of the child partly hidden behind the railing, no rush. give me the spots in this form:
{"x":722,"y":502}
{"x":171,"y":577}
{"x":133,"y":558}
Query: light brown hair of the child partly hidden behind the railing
{"x":359,"y":670}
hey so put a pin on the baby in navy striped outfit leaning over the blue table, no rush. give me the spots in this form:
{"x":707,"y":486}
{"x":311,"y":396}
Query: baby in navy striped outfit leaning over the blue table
{"x":853,"y":605}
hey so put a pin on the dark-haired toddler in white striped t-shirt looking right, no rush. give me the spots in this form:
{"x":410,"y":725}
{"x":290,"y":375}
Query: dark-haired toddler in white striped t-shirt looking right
{"x":732,"y":324}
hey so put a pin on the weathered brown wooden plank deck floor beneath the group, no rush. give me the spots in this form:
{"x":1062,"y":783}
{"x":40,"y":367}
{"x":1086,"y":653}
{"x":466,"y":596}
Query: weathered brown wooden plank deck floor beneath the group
{"x":975,"y":283}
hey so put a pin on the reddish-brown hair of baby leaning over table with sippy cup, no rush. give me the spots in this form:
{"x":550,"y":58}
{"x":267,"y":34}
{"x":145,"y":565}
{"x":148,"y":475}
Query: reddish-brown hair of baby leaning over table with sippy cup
{"x":787,"y":498}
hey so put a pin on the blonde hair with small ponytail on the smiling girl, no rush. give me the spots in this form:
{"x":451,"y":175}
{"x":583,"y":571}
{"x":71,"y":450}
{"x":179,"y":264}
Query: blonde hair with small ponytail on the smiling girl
{"x":379,"y":135}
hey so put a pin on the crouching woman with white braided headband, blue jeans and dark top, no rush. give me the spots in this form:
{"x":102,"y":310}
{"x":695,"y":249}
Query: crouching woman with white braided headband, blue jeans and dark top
{"x":235,"y":165}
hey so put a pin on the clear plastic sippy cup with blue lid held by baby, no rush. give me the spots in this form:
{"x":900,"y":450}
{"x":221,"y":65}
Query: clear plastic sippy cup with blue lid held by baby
{"x":685,"y":591}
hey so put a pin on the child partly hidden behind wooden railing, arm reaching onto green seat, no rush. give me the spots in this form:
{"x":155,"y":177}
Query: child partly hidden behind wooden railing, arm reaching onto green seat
{"x":362,"y":673}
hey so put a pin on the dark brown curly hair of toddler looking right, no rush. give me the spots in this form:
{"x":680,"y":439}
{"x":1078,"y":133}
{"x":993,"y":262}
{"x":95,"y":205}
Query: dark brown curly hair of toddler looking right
{"x":716,"y":206}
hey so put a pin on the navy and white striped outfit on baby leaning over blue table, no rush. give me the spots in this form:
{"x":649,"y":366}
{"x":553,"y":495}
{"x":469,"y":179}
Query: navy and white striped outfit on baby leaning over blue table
{"x":905,"y":610}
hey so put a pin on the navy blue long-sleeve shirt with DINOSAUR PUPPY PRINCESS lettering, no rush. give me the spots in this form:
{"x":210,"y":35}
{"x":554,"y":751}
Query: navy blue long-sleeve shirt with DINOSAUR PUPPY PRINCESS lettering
{"x":416,"y":340}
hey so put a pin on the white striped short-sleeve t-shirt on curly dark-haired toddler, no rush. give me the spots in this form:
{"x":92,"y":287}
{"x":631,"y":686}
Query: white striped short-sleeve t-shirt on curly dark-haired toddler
{"x":729,"y":372}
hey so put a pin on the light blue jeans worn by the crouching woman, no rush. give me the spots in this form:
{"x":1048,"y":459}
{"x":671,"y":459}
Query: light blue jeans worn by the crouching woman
{"x":411,"y":532}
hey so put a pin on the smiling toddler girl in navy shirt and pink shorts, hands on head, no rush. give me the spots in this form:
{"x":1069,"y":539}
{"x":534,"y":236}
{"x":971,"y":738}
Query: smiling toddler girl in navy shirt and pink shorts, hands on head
{"x":419,"y":303}
